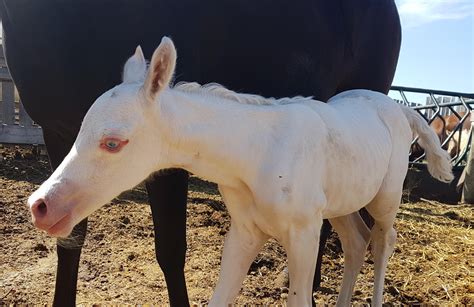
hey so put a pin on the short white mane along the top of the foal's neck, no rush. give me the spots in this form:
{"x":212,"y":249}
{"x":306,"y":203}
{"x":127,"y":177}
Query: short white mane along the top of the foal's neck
{"x":217,"y":90}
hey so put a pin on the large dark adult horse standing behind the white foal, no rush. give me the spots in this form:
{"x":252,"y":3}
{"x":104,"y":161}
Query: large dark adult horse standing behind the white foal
{"x":63,"y":54}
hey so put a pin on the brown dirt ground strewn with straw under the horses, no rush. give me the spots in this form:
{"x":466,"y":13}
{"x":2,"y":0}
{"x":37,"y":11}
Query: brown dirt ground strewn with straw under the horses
{"x":432,"y":263}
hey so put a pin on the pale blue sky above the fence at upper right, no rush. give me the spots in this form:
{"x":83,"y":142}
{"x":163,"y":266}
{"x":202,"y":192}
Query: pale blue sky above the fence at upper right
{"x":437,"y":49}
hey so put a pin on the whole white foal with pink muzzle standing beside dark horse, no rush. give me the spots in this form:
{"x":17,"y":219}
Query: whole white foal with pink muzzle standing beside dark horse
{"x":281,"y":166}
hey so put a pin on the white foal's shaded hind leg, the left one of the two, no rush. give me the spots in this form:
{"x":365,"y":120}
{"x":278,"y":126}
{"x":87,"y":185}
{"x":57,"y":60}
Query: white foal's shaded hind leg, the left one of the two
{"x":355,"y":236}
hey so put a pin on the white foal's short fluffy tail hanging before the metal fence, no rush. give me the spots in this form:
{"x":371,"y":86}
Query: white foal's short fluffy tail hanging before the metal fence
{"x":438,"y":159}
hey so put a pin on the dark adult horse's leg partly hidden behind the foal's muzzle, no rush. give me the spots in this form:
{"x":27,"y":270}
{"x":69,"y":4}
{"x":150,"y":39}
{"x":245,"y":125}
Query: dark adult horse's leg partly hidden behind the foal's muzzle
{"x":68,"y":249}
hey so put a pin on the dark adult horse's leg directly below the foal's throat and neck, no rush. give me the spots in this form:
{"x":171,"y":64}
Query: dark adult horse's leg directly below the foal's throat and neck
{"x":167,"y":192}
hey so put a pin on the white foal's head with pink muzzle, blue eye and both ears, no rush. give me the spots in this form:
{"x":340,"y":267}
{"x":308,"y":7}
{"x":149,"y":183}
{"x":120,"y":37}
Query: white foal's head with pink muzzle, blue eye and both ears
{"x":116,"y":148}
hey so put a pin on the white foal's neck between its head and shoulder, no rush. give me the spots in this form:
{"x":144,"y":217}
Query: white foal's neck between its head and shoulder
{"x":206,"y":135}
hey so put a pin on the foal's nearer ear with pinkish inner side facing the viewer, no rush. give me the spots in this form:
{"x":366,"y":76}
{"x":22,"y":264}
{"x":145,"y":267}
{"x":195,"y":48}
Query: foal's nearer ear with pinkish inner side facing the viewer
{"x":161,"y":68}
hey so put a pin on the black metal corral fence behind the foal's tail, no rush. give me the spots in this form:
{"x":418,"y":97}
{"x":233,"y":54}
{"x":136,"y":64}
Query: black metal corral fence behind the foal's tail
{"x":438,"y":105}
